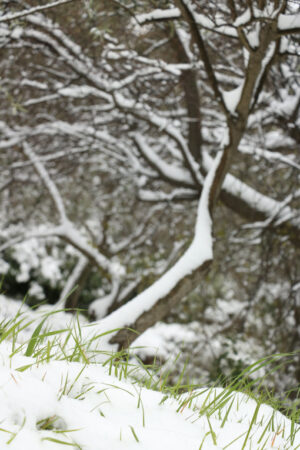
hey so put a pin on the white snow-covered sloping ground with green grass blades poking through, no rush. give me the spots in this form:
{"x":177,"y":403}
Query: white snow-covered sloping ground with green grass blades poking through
{"x":50,"y":403}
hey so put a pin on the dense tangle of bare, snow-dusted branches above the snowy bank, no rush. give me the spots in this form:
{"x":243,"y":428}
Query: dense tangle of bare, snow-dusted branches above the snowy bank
{"x":160,"y":142}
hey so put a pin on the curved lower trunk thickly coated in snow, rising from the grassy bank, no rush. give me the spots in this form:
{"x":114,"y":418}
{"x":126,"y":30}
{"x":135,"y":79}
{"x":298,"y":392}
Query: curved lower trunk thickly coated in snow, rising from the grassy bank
{"x":145,"y":309}
